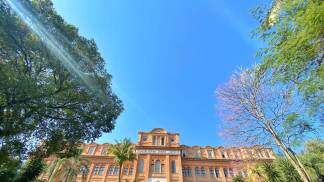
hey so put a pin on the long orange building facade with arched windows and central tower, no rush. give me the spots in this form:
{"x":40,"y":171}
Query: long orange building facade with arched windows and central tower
{"x":161,"y":158}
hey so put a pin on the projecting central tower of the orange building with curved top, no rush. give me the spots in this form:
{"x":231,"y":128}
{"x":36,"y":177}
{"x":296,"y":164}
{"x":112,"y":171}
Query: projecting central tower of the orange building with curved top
{"x":159,"y":156}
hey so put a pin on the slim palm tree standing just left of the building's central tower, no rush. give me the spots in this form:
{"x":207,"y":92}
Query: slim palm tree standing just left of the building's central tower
{"x":123,"y":151}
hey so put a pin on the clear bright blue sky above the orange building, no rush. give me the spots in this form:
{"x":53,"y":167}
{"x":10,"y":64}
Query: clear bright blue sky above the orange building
{"x":167,"y":57}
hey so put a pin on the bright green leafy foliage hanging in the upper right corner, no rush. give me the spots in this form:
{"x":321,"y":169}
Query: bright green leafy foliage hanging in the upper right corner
{"x":293,"y":33}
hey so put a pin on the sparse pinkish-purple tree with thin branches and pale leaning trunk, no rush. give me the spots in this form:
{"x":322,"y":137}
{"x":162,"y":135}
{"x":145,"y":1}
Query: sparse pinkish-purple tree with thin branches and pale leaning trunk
{"x":260,"y":112}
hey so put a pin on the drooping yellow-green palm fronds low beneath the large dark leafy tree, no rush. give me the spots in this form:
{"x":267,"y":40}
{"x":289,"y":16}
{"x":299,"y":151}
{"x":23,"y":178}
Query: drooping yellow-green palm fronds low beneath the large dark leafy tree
{"x":66,"y":169}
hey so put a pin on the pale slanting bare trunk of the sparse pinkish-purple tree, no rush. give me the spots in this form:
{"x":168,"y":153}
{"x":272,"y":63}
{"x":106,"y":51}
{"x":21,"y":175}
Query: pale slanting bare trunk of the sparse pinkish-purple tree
{"x":290,"y":156}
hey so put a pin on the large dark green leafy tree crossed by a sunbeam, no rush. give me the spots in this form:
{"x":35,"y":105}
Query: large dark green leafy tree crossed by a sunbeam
{"x":55,"y":92}
